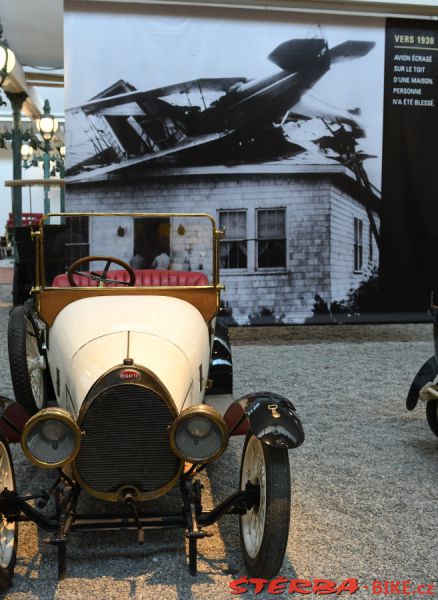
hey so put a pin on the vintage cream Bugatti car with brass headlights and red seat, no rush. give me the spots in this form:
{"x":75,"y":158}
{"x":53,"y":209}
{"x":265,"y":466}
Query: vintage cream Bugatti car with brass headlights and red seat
{"x":123,"y":383}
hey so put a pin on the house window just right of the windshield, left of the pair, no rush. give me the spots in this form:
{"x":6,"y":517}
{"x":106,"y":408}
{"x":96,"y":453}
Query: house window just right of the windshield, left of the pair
{"x":233,"y":249}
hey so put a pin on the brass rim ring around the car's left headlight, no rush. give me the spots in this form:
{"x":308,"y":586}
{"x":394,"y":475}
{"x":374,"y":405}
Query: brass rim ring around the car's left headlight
{"x":42,"y":415}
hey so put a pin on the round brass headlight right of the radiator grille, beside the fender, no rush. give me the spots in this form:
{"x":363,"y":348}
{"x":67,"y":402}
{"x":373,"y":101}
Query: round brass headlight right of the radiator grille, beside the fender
{"x":199,"y":434}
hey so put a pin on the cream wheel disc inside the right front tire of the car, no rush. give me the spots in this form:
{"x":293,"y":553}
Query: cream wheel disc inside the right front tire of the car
{"x":254,"y":471}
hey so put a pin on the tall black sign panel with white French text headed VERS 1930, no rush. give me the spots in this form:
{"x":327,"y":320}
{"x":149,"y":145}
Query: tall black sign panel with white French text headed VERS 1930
{"x":409,"y":253}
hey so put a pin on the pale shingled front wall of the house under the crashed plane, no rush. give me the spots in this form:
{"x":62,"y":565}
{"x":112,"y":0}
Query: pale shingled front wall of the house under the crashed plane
{"x":284,"y":295}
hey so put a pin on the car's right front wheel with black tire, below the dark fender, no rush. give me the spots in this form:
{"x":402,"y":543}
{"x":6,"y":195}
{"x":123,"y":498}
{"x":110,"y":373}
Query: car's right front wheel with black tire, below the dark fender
{"x":265,"y":557}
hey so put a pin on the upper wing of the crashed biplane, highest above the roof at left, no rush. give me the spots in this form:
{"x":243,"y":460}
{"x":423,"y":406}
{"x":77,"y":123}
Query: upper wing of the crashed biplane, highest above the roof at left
{"x":214,"y":84}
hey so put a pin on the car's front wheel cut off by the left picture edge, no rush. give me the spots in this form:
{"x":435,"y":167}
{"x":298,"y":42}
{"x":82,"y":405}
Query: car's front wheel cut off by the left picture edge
{"x":8,"y":531}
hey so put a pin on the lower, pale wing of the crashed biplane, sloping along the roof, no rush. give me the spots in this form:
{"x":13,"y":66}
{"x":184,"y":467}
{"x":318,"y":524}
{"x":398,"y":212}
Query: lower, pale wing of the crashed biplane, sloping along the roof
{"x":139,"y":160}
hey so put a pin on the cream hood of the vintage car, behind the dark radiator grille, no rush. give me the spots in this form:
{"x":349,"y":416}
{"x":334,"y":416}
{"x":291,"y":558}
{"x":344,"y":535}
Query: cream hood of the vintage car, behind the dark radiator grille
{"x":164,"y":335}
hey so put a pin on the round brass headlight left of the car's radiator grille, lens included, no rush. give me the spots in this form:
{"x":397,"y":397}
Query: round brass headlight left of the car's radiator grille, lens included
{"x":51,"y":438}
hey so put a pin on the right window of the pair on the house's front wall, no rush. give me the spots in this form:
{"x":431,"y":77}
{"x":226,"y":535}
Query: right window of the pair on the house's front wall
{"x":271,"y":238}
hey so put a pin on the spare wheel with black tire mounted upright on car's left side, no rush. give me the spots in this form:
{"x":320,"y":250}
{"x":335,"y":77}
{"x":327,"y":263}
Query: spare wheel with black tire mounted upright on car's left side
{"x":24,"y":342}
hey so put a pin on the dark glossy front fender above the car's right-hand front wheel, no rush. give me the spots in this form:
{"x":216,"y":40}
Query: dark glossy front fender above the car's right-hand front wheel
{"x":271,"y":417}
